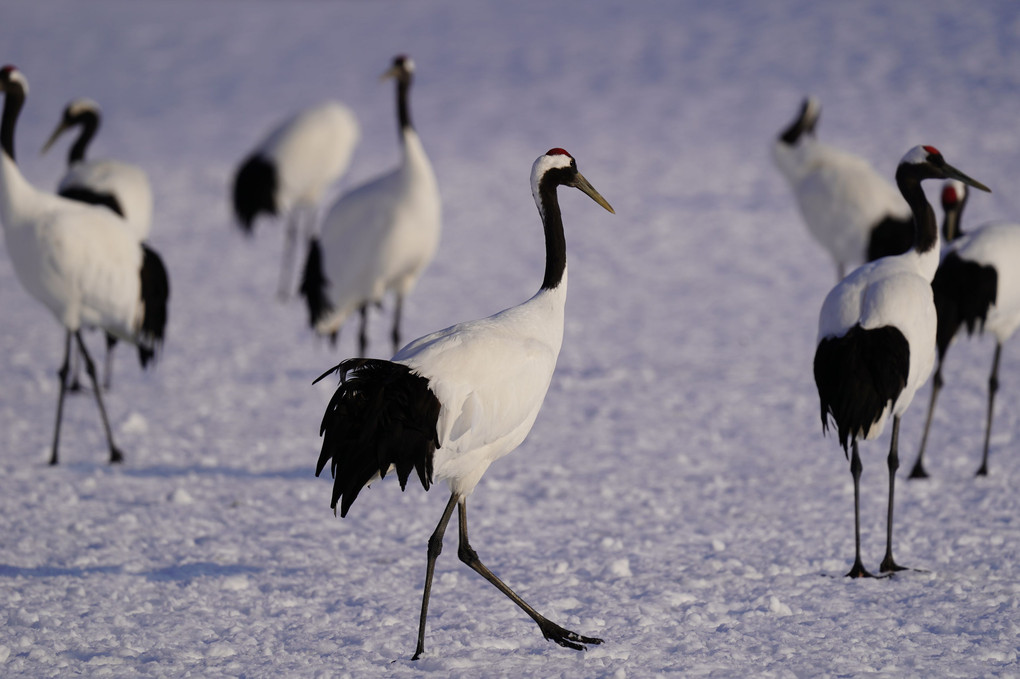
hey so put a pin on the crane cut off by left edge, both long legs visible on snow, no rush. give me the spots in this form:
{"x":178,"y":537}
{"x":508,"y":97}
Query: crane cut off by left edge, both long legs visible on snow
{"x":81,"y":262}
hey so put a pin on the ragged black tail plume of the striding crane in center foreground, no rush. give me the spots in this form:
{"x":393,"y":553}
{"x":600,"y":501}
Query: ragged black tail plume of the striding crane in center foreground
{"x":383,"y":415}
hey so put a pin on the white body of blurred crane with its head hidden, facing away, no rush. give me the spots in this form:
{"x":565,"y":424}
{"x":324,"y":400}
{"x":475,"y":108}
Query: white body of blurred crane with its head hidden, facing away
{"x":312,"y":150}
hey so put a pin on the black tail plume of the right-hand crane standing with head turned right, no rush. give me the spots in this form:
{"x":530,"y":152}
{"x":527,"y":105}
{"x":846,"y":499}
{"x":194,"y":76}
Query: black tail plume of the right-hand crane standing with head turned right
{"x":858,"y":376}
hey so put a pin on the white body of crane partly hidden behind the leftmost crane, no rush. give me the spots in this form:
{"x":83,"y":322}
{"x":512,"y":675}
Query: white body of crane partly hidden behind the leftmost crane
{"x":128,"y":183}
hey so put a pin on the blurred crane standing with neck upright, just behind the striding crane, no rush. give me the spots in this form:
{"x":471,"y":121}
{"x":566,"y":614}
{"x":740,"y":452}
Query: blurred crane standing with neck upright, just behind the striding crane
{"x":379,"y":238}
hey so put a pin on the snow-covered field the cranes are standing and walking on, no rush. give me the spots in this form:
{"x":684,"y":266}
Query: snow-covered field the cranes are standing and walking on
{"x":676,"y":498}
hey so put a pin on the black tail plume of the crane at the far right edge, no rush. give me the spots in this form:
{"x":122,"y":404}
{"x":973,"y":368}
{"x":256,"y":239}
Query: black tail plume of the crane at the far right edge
{"x":964,"y":292}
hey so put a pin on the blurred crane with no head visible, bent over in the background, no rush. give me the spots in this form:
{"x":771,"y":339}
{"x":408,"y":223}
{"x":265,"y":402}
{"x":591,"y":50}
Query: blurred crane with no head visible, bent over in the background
{"x":289,"y":172}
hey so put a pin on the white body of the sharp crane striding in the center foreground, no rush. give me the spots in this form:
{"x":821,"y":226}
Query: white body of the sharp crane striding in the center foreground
{"x":491,"y":377}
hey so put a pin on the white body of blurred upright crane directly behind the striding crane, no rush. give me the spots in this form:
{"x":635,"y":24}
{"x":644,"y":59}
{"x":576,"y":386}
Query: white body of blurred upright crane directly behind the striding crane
{"x":381,"y":237}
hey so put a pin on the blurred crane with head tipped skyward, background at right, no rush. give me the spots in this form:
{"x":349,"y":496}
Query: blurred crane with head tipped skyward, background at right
{"x":852,"y":211}
